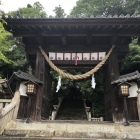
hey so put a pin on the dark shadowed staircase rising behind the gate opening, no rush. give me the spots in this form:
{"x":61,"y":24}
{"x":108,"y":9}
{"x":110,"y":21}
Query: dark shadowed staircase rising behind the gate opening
{"x":72,"y":109}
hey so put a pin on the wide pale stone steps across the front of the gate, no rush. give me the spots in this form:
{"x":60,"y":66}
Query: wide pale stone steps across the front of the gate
{"x":72,"y":130}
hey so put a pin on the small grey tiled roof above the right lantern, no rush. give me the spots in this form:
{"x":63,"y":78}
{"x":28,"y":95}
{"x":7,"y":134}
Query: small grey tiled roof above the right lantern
{"x":127,"y":77}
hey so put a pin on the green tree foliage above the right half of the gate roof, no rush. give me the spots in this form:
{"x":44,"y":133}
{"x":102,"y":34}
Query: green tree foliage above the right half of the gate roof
{"x":106,"y":7}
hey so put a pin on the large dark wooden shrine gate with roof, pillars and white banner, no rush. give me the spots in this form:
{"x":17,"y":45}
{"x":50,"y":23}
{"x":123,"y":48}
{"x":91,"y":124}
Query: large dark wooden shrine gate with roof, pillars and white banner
{"x":78,"y":37}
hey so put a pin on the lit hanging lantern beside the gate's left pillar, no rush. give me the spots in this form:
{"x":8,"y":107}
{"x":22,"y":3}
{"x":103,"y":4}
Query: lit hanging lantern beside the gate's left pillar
{"x":31,"y":88}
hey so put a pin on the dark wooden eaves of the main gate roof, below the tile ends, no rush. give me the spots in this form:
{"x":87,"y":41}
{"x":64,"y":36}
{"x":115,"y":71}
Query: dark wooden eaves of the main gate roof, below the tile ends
{"x":94,"y":26}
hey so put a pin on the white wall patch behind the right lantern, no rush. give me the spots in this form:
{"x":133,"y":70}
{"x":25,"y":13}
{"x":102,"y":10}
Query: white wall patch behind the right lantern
{"x":133,"y":90}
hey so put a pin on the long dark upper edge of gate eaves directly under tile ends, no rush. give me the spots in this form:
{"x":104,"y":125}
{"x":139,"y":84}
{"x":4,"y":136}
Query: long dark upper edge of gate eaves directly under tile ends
{"x":88,"y":21}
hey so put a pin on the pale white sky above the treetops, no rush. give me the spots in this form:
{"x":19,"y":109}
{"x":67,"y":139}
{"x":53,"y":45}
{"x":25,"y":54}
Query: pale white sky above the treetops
{"x":49,"y":5}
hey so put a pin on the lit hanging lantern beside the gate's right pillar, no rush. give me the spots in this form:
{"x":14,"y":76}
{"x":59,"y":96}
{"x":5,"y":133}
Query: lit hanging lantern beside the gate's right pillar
{"x":124,"y":89}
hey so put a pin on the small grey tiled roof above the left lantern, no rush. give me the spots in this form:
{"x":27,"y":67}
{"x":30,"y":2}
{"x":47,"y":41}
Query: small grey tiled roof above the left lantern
{"x":25,"y":76}
